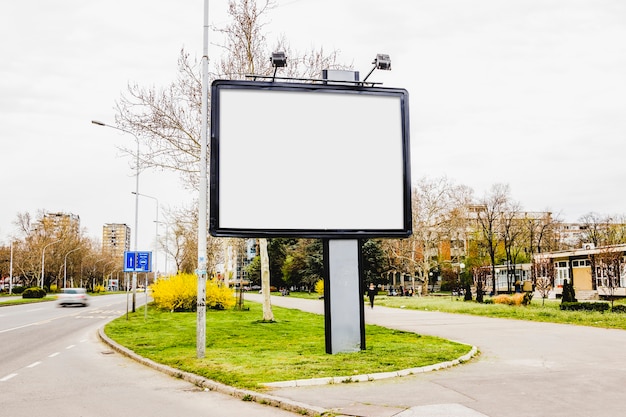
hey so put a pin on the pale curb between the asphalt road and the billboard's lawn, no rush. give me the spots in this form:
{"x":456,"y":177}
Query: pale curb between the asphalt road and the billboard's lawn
{"x":209,"y":385}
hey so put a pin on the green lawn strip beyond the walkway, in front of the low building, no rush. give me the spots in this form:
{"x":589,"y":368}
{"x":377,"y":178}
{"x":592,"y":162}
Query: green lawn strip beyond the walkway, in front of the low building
{"x":550,"y":312}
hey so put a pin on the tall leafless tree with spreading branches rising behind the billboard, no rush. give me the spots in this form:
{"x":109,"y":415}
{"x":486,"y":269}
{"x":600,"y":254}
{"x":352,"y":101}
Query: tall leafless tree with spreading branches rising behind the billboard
{"x":167,"y":121}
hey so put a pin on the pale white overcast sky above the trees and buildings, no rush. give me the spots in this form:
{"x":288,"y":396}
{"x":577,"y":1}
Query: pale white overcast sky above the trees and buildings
{"x":530,"y":93}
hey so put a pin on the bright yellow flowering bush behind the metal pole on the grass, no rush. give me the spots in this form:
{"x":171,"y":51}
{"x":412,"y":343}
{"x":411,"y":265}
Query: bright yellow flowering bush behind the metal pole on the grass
{"x":180,"y":293}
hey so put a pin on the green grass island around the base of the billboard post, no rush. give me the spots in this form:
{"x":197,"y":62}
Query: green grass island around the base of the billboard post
{"x":244,"y":352}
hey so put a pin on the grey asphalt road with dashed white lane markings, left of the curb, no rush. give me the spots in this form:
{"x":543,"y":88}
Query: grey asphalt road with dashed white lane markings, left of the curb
{"x":53,"y":364}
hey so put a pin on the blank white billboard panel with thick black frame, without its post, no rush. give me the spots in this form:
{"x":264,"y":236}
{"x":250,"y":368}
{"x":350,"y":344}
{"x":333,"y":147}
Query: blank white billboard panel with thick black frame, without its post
{"x":309,"y":160}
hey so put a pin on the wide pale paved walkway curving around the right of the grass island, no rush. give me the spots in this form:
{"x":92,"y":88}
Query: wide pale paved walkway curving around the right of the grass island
{"x":525,"y":369}
